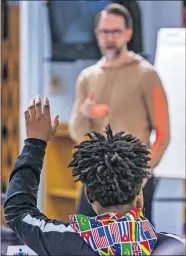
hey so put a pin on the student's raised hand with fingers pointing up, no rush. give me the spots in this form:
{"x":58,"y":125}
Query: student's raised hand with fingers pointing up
{"x":38,"y":122}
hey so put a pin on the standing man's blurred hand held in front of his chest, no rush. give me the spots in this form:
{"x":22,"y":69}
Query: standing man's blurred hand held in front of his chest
{"x":92,"y":110}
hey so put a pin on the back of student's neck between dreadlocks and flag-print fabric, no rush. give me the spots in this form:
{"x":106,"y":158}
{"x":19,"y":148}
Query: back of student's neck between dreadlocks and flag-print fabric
{"x":117,"y":209}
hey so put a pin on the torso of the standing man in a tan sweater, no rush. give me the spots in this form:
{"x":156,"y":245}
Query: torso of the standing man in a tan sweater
{"x":120,"y":88}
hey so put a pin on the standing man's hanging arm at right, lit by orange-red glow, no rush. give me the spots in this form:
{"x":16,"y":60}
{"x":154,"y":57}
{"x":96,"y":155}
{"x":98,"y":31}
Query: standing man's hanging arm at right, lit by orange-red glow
{"x":157,"y":107}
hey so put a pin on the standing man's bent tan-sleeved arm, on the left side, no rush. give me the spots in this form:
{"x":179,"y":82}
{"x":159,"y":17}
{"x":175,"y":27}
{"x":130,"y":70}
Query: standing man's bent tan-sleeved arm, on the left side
{"x":79,"y":124}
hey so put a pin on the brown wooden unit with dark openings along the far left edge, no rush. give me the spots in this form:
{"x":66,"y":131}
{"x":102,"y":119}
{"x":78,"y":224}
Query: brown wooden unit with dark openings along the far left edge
{"x":9,"y":93}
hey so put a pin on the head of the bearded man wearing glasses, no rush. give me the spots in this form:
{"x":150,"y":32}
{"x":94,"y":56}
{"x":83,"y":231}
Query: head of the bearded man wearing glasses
{"x":113,"y":30}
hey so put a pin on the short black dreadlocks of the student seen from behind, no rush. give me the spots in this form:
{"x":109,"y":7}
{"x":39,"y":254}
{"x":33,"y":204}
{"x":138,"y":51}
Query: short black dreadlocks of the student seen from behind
{"x":112,"y":167}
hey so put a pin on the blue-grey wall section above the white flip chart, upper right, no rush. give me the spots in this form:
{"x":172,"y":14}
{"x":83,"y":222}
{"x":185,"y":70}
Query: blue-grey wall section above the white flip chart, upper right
{"x":156,"y":15}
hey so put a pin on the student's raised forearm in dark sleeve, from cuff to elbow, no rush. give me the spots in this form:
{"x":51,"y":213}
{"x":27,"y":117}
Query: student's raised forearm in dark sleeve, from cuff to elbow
{"x":24,"y":182}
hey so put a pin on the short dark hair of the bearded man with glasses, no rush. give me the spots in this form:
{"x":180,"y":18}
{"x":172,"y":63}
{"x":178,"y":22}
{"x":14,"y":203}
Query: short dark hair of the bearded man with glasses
{"x":118,"y":10}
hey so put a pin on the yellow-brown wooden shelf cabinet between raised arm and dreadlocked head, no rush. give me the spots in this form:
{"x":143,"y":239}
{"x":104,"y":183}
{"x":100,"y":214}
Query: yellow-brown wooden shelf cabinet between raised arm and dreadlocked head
{"x":61,"y":192}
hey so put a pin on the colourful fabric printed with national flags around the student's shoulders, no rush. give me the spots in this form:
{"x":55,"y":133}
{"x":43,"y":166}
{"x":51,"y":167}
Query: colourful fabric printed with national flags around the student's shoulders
{"x":114,"y":234}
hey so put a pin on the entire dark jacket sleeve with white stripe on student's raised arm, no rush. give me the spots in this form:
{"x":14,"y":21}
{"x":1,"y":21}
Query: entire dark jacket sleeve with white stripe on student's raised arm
{"x":44,"y":236}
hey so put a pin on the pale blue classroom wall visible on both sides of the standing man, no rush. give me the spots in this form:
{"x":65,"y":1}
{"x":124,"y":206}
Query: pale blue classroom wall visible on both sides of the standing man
{"x":37,"y":71}
